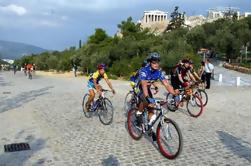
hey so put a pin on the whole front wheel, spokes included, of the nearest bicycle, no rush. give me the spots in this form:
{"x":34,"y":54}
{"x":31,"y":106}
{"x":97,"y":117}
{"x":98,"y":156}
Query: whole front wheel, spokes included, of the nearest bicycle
{"x":169,"y":138}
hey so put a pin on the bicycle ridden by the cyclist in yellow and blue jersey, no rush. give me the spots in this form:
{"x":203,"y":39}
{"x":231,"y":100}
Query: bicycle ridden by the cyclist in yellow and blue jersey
{"x":102,"y":106}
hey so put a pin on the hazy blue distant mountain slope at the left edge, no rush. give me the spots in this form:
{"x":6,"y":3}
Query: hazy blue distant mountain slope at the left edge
{"x":14,"y":50}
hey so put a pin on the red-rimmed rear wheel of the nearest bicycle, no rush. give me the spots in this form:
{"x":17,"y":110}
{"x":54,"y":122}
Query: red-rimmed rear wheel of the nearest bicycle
{"x":134,"y":131}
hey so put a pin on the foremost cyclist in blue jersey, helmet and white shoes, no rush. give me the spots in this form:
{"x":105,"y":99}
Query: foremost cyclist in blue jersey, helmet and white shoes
{"x":148,"y":74}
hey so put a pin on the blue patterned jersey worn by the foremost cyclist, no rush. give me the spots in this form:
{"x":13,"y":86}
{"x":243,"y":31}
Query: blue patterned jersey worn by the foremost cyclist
{"x":150,"y":75}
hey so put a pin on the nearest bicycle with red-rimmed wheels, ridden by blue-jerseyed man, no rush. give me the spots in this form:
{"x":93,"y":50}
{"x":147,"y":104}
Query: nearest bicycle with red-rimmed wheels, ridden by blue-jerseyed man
{"x":167,"y":131}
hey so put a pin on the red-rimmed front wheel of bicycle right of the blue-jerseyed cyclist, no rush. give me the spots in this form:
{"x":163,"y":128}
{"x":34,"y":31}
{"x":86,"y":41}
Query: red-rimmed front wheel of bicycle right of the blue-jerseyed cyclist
{"x":194,"y":106}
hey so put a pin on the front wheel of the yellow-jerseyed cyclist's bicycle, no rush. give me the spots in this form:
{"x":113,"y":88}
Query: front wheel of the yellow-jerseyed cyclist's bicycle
{"x":105,"y":111}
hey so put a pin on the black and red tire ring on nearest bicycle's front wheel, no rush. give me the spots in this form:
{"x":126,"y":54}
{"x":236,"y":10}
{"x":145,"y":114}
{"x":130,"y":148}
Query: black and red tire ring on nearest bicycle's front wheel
{"x":163,"y":150}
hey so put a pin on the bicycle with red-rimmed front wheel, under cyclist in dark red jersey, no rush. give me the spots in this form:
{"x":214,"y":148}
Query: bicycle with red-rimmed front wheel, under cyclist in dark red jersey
{"x":194,"y":104}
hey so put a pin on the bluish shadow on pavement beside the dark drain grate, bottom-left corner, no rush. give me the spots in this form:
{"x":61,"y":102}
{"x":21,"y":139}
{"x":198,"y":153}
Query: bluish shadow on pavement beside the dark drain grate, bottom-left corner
{"x":21,"y":157}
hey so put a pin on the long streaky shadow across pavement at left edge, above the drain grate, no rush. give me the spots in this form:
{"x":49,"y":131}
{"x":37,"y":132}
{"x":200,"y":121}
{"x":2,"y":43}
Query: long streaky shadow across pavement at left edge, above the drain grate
{"x":22,"y":98}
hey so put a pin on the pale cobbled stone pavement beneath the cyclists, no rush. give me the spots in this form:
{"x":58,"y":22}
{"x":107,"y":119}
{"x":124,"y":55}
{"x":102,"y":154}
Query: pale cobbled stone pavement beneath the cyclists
{"x":46,"y":112}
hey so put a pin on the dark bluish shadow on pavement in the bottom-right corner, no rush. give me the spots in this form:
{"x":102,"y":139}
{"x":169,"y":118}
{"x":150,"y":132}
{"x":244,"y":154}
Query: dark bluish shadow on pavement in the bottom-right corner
{"x":238,"y":146}
